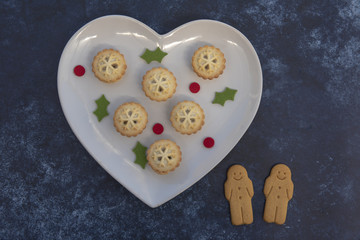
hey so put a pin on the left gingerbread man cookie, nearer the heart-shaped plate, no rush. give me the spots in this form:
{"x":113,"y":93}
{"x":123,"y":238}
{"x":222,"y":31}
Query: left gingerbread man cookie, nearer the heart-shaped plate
{"x":239,"y":191}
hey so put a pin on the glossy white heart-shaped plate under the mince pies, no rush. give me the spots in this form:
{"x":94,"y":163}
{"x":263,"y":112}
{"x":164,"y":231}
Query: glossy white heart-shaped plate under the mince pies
{"x":225,"y":124}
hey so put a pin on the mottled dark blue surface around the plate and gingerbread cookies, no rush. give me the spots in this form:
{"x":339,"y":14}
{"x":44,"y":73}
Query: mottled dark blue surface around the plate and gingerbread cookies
{"x":51,"y":188}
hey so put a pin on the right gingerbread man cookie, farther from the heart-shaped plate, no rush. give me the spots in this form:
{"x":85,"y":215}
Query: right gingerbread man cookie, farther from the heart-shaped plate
{"x":278,"y":191}
